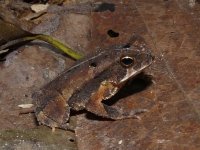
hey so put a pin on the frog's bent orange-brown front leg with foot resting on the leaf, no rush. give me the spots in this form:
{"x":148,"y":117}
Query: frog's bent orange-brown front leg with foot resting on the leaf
{"x":106,"y":90}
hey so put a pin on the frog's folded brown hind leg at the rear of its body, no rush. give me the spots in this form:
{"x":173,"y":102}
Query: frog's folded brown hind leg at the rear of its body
{"x":52,"y":110}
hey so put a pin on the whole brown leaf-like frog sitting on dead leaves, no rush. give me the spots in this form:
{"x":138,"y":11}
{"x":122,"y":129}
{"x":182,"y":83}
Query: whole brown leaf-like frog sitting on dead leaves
{"x":91,"y":81}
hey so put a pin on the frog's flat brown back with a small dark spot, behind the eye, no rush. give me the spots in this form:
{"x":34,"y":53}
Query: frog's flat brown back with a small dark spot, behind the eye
{"x":72,"y":79}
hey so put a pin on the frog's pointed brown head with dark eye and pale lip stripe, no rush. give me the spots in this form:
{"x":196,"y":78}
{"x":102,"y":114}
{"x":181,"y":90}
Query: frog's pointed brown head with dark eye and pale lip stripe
{"x":132,"y":59}
